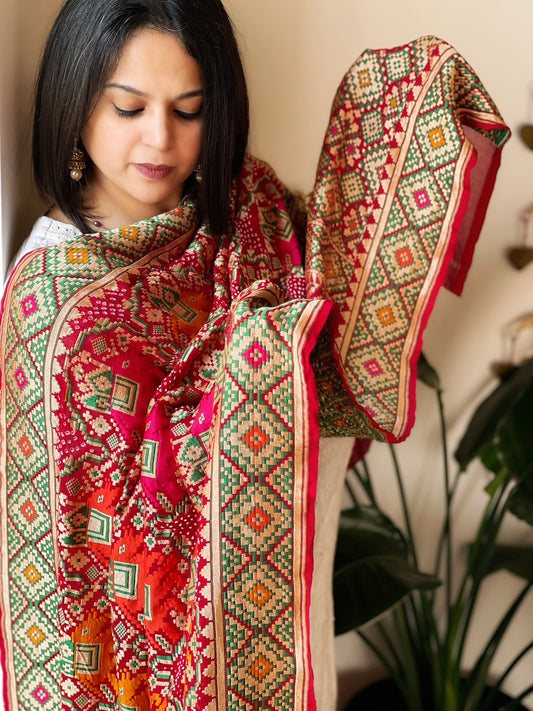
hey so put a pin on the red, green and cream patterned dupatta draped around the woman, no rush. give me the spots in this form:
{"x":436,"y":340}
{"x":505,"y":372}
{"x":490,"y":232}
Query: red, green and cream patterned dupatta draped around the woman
{"x":162,"y":393}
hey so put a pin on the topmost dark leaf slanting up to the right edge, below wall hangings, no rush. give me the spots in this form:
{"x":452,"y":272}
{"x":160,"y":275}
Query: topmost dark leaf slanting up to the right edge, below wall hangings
{"x":490,"y":413}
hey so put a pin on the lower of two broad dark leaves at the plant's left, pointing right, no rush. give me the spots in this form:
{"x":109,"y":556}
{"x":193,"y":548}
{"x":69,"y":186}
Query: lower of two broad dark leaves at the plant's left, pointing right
{"x":370,"y":586}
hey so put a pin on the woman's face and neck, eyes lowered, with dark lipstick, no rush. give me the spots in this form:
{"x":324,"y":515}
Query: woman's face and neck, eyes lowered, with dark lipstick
{"x":144,"y":133}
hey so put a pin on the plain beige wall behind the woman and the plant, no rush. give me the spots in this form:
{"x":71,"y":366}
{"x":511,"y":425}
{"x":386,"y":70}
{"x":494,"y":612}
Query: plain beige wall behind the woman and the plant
{"x":295,"y":53}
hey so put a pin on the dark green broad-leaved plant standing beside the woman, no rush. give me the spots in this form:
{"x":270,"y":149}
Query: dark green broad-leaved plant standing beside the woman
{"x":376,"y":565}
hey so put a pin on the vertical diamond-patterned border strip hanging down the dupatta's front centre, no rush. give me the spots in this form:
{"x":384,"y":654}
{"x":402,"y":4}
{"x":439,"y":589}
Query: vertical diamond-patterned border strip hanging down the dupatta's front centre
{"x":257,"y":594}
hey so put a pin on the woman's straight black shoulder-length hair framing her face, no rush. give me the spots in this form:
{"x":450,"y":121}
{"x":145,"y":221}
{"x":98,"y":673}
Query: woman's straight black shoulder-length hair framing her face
{"x":82,"y":52}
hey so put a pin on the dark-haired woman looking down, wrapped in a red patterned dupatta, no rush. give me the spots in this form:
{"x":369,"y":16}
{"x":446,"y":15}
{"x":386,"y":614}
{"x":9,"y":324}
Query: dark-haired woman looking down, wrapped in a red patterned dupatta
{"x":159,"y":410}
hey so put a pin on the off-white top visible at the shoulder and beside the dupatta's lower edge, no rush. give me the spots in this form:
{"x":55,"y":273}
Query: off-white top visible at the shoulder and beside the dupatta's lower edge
{"x":333,"y":461}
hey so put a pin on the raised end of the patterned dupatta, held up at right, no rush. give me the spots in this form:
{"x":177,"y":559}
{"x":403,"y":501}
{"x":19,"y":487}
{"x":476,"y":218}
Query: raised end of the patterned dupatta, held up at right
{"x":416,"y":112}
